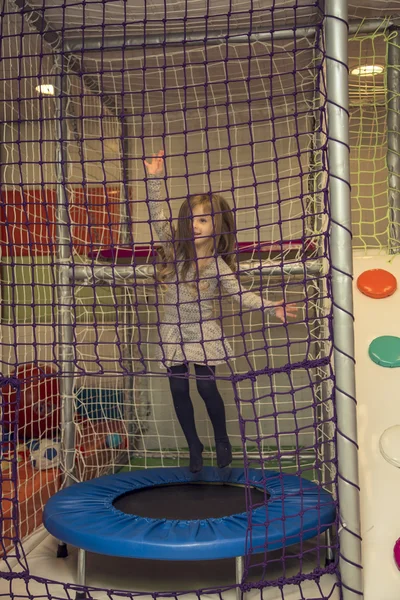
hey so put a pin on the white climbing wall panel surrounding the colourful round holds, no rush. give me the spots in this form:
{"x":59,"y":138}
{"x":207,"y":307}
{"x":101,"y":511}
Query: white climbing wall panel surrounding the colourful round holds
{"x":378,"y":397}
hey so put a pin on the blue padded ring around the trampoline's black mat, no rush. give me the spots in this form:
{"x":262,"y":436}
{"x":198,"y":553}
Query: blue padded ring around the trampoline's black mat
{"x":83,"y":515}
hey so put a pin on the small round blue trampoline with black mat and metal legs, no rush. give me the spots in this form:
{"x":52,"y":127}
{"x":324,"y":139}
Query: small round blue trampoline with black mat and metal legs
{"x":172,"y":514}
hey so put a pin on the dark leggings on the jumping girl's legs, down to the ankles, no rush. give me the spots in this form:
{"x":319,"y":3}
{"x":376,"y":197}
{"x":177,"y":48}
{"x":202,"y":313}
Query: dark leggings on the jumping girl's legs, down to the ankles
{"x":207,"y":388}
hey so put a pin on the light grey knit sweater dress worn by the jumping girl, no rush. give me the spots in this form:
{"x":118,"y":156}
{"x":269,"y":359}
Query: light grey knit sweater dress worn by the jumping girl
{"x":190,"y":329}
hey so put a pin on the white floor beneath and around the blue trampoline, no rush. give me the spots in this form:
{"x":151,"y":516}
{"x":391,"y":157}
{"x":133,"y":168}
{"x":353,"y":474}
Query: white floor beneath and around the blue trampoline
{"x":141,"y":575}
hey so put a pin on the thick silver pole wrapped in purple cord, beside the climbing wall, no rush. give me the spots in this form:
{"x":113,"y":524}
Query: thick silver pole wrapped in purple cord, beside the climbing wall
{"x":342,"y":287}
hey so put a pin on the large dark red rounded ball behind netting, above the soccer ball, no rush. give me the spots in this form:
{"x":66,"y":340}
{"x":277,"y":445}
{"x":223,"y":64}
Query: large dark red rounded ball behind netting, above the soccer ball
{"x":39,"y":405}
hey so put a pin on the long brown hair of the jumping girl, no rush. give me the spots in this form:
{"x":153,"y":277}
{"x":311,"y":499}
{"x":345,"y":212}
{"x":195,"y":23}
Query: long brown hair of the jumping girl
{"x":181,"y":250}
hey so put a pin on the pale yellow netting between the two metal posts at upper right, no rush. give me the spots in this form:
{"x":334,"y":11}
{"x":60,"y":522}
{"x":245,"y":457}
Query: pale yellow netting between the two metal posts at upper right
{"x":368,"y":142}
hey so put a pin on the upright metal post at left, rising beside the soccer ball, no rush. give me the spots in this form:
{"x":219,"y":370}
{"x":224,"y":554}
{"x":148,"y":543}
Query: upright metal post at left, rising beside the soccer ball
{"x":65,"y":325}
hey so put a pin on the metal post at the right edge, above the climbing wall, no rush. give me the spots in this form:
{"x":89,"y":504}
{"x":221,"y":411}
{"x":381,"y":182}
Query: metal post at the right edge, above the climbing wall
{"x":393,"y":139}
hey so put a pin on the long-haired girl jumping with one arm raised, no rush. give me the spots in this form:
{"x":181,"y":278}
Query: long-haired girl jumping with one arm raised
{"x":199,"y":258}
